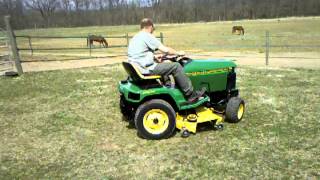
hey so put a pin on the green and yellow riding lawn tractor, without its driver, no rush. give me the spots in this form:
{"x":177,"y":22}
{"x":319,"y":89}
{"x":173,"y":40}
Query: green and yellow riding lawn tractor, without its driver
{"x":157,"y":110}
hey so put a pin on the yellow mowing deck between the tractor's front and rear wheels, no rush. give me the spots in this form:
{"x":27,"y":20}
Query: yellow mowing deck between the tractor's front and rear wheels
{"x":189,"y":122}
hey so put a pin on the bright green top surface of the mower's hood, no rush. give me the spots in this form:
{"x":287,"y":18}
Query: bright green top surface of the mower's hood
{"x":198,"y":65}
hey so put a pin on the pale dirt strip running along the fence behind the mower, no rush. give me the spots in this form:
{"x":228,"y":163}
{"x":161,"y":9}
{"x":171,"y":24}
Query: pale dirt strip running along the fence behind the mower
{"x":290,"y":60}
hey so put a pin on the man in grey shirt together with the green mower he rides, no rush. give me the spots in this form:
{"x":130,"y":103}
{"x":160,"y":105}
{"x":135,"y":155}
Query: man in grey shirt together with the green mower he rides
{"x":204,"y":91}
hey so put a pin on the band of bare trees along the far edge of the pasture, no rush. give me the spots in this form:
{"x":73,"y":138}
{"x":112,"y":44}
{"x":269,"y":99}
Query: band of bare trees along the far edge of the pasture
{"x":26,"y":13}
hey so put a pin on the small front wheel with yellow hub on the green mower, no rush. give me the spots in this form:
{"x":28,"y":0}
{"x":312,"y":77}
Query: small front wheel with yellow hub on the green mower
{"x":234,"y":108}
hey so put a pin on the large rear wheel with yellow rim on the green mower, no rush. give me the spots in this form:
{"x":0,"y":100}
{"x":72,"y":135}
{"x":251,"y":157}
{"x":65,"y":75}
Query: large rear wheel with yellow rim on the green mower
{"x":155,"y":108}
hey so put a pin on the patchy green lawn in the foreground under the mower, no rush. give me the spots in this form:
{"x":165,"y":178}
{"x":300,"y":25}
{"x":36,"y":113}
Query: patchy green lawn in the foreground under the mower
{"x":66,"y":124}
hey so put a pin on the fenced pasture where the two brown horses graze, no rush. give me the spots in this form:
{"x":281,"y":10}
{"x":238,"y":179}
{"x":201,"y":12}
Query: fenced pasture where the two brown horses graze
{"x":193,"y":37}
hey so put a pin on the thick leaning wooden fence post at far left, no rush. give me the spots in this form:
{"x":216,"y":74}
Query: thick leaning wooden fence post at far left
{"x":13,"y":44}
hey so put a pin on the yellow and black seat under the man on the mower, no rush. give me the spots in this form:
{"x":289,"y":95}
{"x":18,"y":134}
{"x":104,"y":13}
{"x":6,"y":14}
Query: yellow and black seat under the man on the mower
{"x":135,"y":73}
